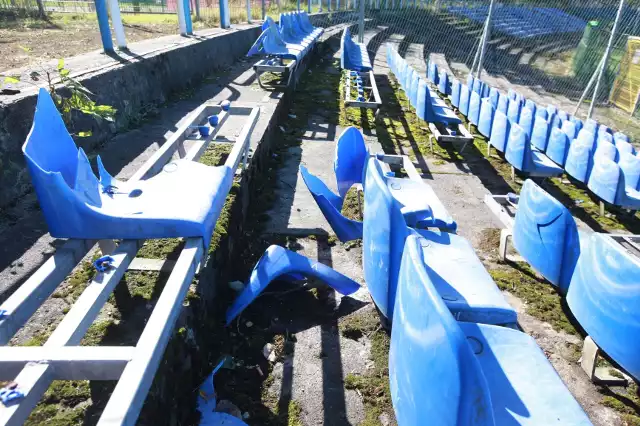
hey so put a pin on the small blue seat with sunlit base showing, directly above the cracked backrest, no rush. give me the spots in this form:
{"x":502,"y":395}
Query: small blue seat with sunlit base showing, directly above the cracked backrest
{"x":532,"y":162}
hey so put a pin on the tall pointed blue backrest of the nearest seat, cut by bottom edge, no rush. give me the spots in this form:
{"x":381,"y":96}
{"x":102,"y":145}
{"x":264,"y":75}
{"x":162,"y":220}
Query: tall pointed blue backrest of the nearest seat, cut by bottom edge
{"x":433,"y":372}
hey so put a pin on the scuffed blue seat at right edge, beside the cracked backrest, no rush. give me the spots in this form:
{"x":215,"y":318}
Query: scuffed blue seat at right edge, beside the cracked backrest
{"x":604,"y":296}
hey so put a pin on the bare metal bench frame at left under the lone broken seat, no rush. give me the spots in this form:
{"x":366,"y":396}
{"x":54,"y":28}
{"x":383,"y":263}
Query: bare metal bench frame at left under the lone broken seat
{"x":33,"y":369}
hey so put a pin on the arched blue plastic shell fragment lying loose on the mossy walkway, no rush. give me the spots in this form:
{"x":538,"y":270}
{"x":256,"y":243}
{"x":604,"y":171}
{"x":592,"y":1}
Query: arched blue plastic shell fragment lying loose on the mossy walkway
{"x":278,"y":262}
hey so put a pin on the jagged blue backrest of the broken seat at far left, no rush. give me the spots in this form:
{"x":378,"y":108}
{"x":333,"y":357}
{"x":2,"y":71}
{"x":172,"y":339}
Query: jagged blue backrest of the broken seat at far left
{"x":49,"y":148}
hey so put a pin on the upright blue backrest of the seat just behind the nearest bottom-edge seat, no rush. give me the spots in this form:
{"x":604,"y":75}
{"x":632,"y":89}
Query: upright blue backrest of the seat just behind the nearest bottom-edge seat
{"x":382,"y":238}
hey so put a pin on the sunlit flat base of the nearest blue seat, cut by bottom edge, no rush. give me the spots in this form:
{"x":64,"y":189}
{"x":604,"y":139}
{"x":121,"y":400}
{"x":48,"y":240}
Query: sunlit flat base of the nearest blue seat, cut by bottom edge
{"x":525,"y":389}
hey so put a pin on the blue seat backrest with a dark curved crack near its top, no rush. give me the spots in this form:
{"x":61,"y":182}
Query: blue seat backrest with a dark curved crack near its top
{"x":545,"y":234}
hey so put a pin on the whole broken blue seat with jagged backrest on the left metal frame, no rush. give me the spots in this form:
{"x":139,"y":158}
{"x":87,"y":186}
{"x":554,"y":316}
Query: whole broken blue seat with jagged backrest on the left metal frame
{"x":78,"y":205}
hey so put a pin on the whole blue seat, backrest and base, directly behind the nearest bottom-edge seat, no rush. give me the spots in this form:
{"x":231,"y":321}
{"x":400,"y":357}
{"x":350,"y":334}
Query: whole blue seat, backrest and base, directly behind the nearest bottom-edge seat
{"x":460,"y":277}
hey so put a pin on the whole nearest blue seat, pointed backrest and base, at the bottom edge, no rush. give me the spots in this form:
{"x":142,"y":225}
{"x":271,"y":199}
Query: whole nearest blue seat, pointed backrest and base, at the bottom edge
{"x":455,"y":373}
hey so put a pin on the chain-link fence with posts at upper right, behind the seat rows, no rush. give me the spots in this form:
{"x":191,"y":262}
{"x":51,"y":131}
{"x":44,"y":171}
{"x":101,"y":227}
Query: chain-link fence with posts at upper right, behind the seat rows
{"x":548,"y":50}
